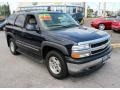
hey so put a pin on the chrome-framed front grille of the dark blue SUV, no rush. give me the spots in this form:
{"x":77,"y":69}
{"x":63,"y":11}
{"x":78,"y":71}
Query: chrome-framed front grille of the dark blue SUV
{"x":96,"y":46}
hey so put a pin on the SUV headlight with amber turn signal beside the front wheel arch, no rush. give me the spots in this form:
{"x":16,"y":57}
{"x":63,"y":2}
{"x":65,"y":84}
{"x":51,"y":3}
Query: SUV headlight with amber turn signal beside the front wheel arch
{"x":79,"y":51}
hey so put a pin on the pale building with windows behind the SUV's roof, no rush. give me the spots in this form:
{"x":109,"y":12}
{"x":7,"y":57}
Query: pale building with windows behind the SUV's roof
{"x":71,"y":8}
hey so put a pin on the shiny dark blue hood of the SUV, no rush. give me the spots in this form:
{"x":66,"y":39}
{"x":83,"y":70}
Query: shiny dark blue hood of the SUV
{"x":80,"y":34}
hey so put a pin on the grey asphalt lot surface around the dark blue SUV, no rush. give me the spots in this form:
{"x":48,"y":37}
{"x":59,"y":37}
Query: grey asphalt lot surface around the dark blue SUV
{"x":24,"y":71}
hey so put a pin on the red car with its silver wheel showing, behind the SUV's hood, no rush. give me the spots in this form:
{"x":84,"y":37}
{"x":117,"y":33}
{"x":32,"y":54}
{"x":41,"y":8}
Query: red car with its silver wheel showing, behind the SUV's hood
{"x":102,"y":23}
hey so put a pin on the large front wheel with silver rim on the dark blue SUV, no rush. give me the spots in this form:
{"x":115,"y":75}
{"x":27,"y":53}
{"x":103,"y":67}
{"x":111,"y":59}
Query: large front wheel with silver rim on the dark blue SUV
{"x":55,"y":59}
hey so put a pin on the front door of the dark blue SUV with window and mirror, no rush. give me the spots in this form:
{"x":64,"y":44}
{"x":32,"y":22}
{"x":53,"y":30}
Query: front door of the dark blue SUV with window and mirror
{"x":31,"y":38}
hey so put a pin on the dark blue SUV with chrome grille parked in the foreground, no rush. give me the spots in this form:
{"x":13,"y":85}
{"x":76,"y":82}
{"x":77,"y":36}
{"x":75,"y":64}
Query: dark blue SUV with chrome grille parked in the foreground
{"x":64,"y":45}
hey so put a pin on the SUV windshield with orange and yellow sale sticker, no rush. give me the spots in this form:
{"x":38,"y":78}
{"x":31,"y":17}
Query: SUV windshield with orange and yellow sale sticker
{"x":53,"y":21}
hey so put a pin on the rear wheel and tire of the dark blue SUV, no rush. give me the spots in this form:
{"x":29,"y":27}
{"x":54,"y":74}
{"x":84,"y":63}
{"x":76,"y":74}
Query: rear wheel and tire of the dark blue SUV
{"x":13,"y":46}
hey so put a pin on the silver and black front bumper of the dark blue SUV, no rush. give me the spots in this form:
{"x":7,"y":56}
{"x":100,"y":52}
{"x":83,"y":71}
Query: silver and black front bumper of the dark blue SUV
{"x":76,"y":66}
